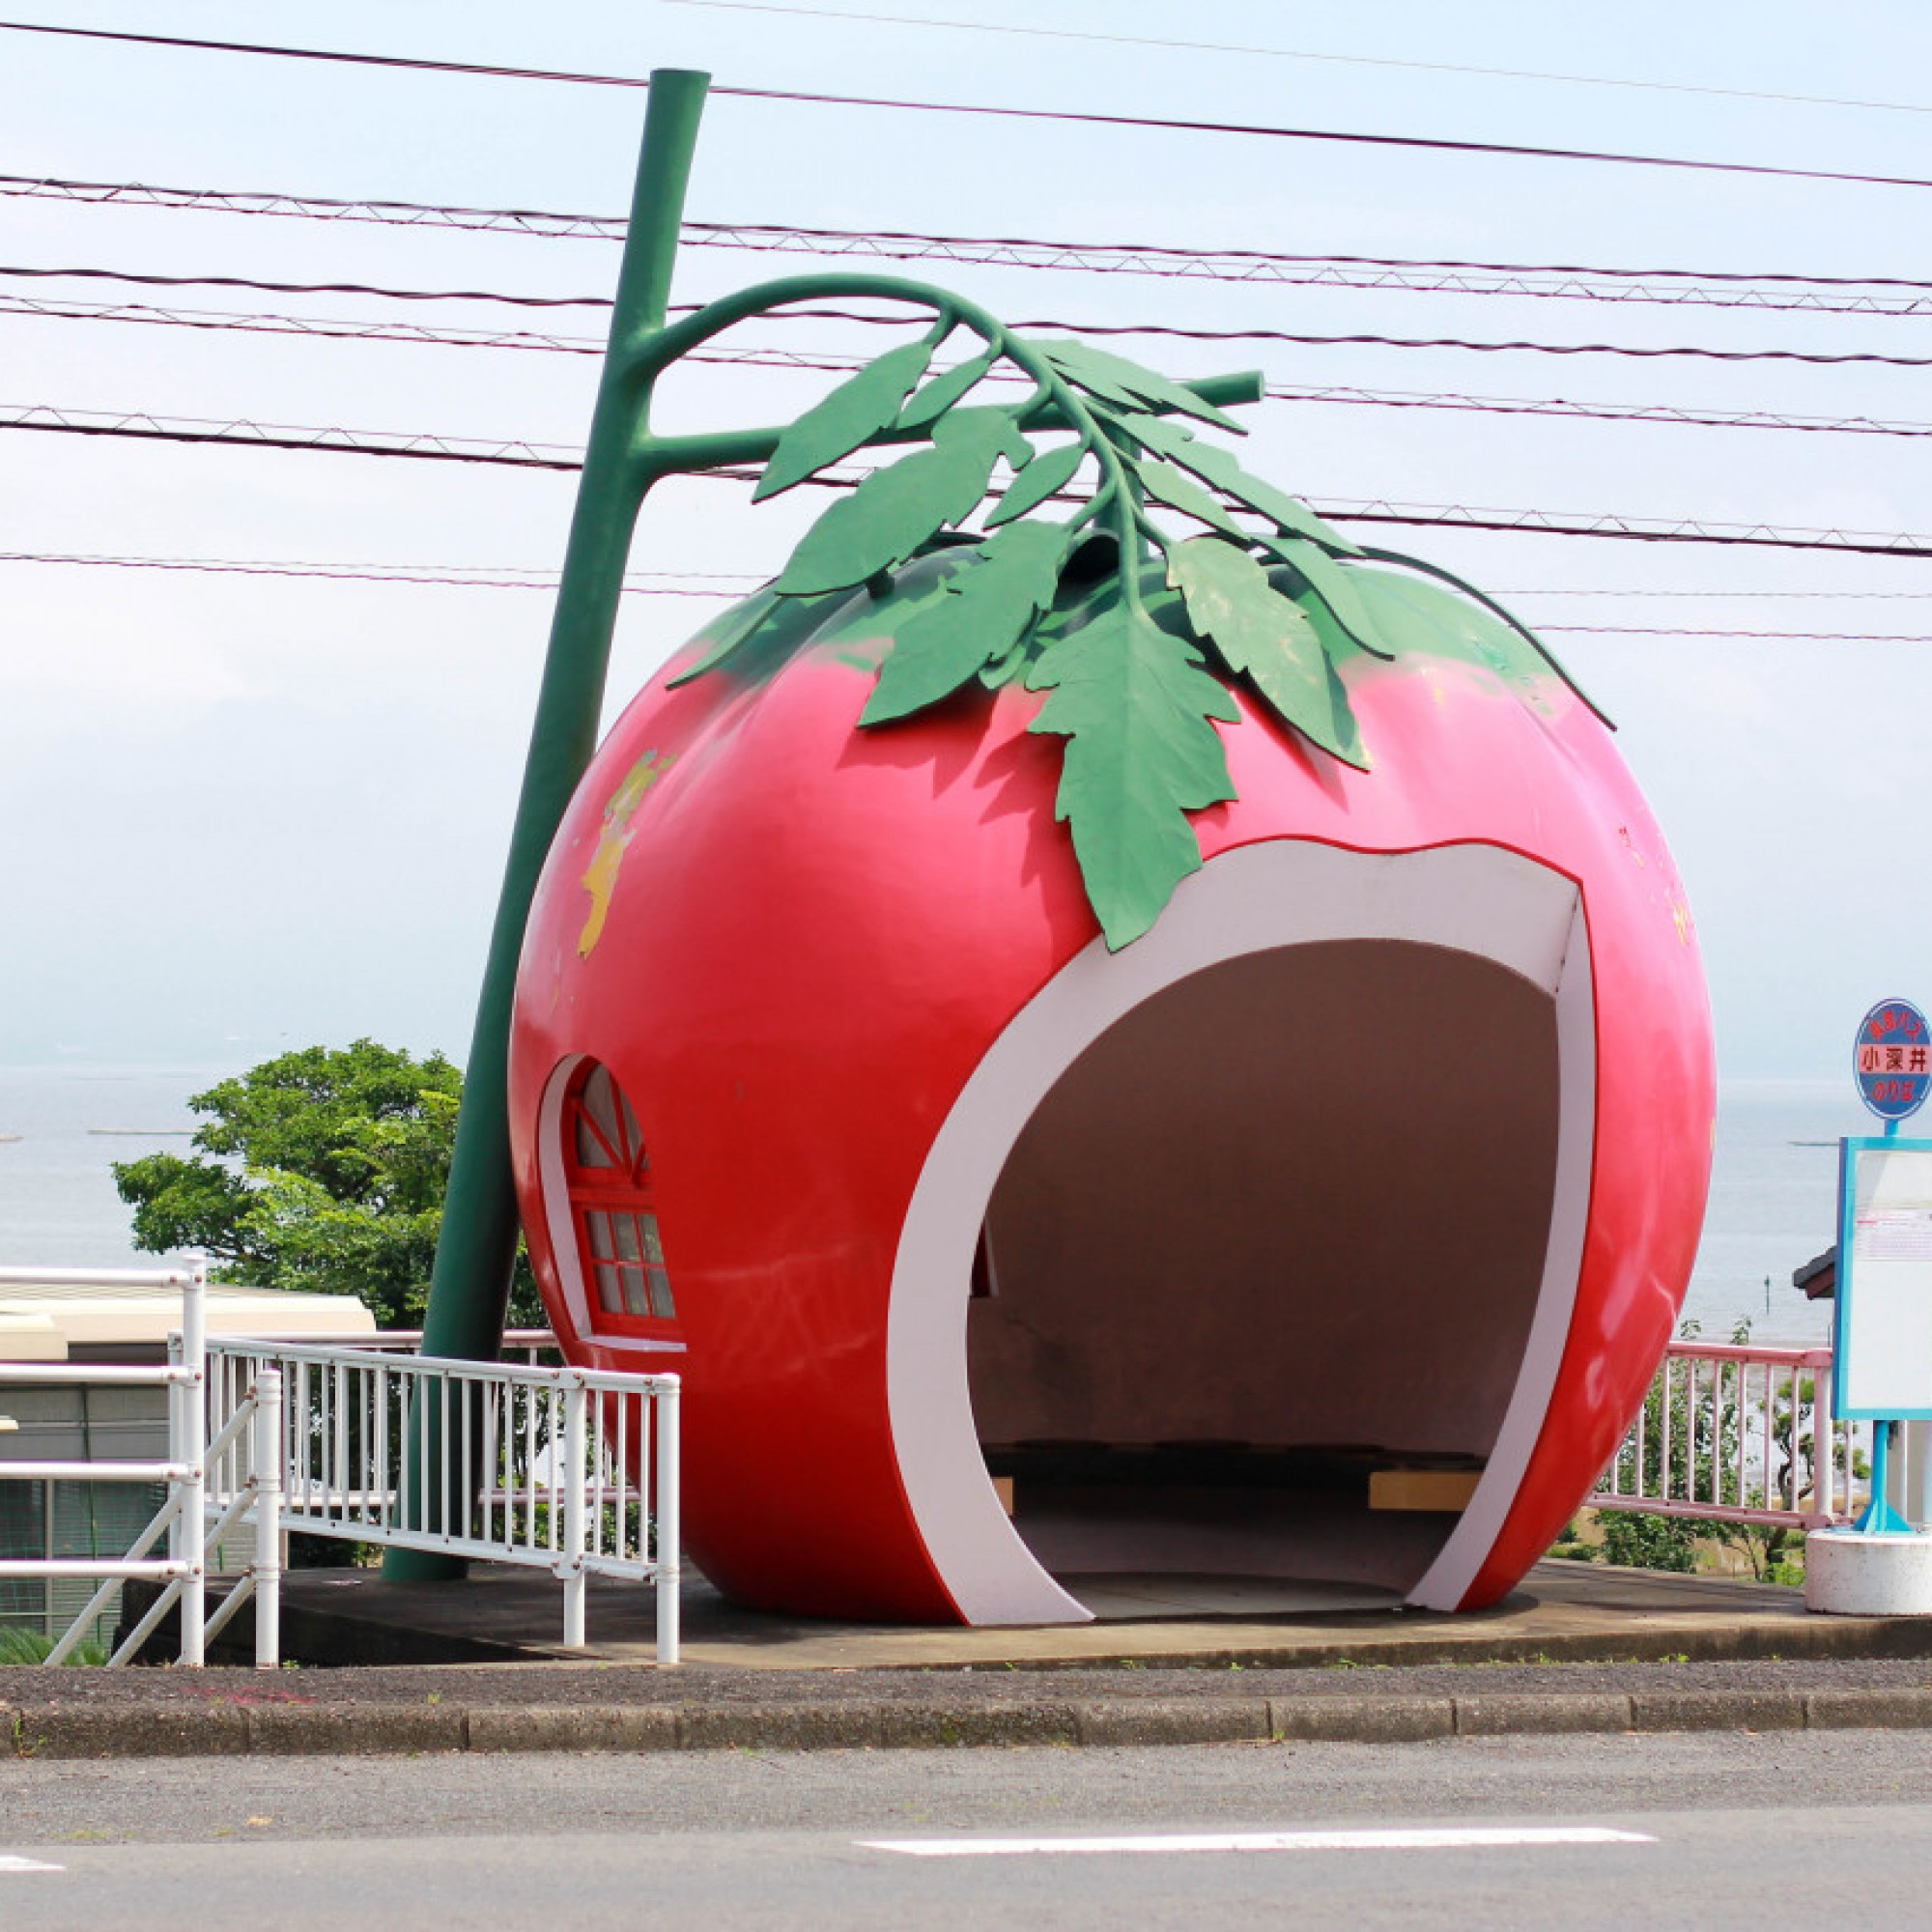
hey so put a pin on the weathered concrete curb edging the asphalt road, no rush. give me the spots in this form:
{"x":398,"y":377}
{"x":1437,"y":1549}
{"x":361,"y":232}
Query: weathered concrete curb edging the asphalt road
{"x":177,"y":1730}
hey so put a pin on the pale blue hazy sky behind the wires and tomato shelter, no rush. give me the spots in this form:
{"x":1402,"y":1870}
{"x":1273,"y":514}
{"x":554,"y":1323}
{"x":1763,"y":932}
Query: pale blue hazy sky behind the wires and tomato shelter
{"x":252,"y":812}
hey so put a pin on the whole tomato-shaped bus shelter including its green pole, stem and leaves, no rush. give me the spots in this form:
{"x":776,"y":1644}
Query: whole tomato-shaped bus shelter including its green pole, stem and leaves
{"x":982,"y":1021}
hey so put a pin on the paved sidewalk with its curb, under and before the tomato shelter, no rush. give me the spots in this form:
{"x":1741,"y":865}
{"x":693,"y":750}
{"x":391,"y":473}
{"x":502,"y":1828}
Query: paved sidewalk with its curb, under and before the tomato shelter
{"x":1581,"y":1649}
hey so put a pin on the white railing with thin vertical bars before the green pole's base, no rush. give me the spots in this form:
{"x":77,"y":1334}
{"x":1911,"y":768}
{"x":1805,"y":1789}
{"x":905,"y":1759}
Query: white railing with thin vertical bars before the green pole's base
{"x":565,"y":1469}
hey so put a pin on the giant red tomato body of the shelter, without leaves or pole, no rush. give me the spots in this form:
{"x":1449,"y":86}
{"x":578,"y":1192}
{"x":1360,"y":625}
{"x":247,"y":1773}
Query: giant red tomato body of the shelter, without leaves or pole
{"x":1384,"y":1151}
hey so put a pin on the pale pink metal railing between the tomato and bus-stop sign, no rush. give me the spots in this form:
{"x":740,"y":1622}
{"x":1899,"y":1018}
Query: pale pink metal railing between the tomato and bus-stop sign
{"x":1738,"y":1435}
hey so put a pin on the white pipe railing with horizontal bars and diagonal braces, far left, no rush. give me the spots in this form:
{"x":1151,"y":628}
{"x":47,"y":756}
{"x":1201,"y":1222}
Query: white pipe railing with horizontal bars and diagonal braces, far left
{"x":244,"y":1444}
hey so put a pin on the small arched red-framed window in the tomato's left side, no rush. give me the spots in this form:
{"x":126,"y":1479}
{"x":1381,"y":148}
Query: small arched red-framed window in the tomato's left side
{"x":608,"y":1172}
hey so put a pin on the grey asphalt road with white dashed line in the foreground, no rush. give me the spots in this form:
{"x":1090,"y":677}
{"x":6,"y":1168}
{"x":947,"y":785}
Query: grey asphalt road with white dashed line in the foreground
{"x":1574,"y":1833}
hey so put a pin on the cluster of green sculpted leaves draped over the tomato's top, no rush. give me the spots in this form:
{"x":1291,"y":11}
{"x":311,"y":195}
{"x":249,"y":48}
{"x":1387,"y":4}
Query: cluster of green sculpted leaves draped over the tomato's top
{"x":1266,"y":592}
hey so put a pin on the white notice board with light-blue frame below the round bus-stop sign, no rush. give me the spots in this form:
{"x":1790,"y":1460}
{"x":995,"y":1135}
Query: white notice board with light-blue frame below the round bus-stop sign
{"x":1883,"y":1324}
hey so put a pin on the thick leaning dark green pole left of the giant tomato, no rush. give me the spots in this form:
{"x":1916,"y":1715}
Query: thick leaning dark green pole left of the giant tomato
{"x":476,"y":1253}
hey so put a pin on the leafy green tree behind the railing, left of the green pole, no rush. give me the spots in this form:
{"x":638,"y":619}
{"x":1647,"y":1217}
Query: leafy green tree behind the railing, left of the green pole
{"x":322,"y":1170}
